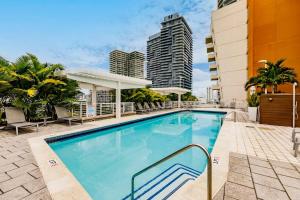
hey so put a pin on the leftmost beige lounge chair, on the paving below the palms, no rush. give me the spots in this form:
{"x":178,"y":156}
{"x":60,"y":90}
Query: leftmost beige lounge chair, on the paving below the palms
{"x":15,"y":117}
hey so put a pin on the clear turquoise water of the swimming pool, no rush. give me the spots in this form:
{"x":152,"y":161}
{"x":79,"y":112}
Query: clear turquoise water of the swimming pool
{"x":104,"y":161}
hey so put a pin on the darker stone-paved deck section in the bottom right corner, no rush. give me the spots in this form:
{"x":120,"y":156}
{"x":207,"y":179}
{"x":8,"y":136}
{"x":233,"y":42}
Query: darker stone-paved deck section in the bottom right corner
{"x":252,"y":178}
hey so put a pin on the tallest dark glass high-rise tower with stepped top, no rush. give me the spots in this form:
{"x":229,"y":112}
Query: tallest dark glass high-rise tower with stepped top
{"x":170,"y":54}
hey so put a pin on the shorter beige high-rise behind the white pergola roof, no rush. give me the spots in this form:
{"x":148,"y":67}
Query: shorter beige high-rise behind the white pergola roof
{"x":127,"y":64}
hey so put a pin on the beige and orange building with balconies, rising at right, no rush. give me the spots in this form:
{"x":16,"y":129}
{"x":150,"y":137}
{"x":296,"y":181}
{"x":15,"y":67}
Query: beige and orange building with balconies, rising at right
{"x":244,"y":32}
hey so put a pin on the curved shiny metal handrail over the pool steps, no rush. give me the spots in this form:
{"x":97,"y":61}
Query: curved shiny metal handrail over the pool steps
{"x":209,"y":168}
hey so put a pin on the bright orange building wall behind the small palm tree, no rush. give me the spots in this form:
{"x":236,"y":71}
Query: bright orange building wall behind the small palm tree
{"x":274,"y":33}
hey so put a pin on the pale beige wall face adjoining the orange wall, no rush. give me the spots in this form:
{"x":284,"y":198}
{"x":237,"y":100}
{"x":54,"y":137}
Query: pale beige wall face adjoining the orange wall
{"x":229,"y":26}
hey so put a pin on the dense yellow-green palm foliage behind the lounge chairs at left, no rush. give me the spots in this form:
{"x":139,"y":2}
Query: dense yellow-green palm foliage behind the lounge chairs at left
{"x":30,"y":84}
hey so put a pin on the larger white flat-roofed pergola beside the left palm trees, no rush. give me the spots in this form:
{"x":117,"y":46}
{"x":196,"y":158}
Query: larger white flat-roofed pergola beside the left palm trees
{"x":100,"y":80}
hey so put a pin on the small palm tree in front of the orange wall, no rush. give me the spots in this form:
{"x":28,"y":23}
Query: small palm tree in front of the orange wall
{"x":272,"y":75}
